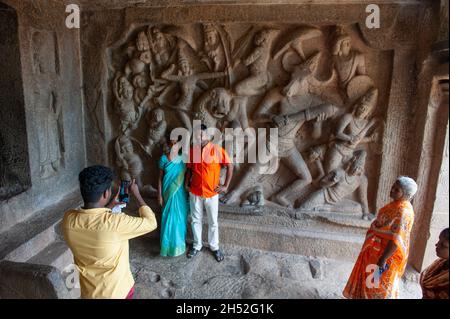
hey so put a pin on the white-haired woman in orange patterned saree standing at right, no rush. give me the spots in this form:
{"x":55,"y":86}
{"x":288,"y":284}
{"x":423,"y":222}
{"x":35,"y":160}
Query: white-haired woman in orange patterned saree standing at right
{"x":383,"y":257}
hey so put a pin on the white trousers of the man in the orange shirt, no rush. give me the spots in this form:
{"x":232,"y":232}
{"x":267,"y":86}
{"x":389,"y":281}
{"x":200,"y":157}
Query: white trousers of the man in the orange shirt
{"x":211,"y":205}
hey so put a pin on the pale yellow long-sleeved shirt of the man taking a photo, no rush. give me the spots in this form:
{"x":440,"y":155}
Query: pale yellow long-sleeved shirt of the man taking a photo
{"x":98,"y":240}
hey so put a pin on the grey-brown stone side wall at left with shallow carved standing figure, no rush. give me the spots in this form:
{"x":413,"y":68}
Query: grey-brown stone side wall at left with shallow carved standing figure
{"x":51,"y":90}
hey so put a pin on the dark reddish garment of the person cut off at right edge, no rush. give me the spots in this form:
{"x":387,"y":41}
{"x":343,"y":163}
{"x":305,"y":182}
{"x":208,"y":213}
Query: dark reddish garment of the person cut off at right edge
{"x":434,"y":280}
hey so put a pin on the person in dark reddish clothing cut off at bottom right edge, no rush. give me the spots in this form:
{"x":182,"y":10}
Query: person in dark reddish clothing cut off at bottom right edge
{"x":434,"y":279}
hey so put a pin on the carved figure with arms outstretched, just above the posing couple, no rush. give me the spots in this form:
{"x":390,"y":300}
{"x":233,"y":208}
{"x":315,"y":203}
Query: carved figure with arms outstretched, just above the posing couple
{"x":188,"y":83}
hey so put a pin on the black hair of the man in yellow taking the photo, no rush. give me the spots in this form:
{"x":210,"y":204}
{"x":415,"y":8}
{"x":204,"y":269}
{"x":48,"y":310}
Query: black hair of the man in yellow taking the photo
{"x":94,"y":181}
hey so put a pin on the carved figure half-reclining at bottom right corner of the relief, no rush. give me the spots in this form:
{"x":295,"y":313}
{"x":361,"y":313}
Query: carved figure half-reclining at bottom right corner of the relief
{"x":340,"y":183}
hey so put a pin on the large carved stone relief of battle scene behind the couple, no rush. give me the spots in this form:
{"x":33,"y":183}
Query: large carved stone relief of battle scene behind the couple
{"x":321,"y":87}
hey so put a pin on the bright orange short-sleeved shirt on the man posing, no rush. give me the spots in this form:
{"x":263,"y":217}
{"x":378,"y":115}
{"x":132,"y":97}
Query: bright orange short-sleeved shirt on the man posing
{"x":206,"y":169}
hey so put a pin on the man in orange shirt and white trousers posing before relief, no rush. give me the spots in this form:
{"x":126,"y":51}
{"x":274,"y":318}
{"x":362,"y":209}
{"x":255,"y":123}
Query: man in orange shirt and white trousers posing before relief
{"x":203,"y":182}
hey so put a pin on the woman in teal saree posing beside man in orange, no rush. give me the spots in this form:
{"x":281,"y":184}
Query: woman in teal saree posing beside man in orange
{"x":174,"y":201}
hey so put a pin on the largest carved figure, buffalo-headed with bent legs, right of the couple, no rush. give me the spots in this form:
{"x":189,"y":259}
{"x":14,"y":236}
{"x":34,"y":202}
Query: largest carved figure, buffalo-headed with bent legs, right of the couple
{"x":288,"y":120}
